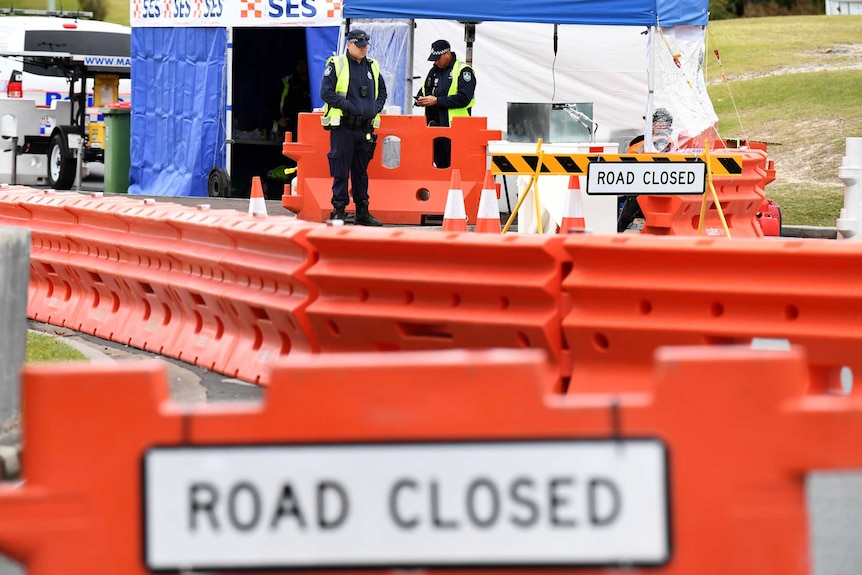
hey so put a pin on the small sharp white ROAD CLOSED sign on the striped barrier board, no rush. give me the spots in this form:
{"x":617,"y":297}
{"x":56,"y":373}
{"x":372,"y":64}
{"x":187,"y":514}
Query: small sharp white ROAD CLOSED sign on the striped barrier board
{"x":646,"y":178}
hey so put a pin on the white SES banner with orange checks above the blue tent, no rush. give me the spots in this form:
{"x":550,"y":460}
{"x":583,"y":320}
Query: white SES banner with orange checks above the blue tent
{"x":235,"y":13}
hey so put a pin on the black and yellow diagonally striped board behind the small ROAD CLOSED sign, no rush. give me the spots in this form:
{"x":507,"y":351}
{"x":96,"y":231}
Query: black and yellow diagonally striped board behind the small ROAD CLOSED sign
{"x":510,"y":164}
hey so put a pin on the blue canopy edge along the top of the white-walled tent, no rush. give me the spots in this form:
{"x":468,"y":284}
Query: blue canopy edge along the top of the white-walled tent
{"x":587,"y":12}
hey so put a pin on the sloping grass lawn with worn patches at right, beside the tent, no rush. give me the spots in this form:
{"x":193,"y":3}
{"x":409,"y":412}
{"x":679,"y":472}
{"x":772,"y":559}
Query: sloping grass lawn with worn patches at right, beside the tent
{"x":793,"y":82}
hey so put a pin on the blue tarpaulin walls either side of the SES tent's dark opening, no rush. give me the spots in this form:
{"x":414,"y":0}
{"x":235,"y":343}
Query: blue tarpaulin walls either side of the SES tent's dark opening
{"x":179,"y":85}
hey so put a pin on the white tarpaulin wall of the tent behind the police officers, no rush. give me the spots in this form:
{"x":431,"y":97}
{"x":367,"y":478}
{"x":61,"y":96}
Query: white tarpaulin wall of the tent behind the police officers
{"x":515,"y":62}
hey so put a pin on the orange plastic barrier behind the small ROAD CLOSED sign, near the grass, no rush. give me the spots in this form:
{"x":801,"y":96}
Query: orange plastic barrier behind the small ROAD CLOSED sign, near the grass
{"x":740,"y":197}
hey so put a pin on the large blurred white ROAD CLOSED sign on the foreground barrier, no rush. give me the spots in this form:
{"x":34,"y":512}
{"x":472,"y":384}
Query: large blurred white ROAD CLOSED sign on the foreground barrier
{"x":551,"y":503}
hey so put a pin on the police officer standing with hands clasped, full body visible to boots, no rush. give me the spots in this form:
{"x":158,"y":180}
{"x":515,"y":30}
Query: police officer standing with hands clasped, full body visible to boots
{"x":354,"y":93}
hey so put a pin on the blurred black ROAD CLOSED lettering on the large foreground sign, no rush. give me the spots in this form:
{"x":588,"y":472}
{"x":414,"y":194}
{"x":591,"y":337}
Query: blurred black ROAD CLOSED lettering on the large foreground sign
{"x":411,"y":503}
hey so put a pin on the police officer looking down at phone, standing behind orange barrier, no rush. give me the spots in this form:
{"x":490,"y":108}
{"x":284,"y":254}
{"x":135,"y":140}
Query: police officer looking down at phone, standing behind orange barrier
{"x":449,"y":91}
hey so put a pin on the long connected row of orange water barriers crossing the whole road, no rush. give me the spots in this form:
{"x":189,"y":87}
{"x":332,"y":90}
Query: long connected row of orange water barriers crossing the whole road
{"x":233,"y":292}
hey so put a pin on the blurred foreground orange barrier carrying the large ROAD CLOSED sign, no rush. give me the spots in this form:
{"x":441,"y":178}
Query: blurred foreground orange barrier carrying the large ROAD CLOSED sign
{"x":666,"y":486}
